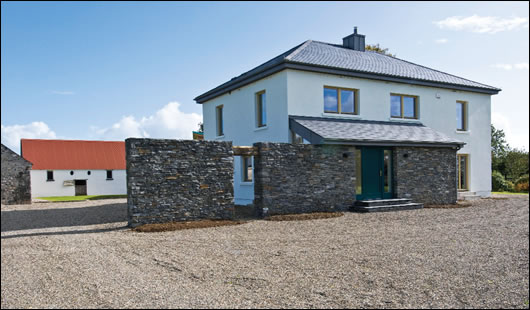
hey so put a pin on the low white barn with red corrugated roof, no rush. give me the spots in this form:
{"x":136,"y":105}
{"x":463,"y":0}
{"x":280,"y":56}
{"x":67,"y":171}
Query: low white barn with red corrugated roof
{"x":75,"y":167}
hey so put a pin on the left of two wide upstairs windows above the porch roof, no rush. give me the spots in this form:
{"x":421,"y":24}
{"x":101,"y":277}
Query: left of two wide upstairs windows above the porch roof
{"x":340,"y":100}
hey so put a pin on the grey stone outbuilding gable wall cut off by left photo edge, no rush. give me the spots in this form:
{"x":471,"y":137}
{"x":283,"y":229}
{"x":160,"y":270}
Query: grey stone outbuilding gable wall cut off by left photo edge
{"x":16,"y":186}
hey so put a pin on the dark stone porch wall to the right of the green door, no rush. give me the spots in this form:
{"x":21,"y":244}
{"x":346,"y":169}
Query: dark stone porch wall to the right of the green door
{"x":426,"y":175}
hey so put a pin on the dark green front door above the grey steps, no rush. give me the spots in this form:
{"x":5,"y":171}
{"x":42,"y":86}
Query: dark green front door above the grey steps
{"x":375,"y":174}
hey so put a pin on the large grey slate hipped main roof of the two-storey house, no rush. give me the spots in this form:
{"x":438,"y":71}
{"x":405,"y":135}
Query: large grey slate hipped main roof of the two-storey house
{"x":318,"y":56}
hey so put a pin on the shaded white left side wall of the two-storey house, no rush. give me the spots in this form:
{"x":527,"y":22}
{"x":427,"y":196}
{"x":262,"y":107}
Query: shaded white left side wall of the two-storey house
{"x":239,"y":118}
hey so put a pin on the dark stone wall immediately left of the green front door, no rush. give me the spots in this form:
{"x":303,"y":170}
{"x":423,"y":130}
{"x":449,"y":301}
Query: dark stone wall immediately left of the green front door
{"x":300,"y":178}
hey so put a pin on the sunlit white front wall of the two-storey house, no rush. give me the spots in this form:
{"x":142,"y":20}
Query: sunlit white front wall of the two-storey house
{"x":305,"y":97}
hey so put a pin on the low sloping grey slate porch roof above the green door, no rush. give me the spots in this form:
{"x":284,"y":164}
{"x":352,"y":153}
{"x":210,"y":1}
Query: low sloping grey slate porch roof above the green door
{"x":338,"y":131}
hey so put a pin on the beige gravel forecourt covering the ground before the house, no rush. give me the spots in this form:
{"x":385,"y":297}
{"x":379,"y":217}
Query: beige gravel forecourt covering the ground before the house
{"x":82,"y":255}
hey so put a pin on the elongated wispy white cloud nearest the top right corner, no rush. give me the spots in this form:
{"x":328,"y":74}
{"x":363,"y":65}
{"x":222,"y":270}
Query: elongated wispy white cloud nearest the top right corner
{"x":482,"y":24}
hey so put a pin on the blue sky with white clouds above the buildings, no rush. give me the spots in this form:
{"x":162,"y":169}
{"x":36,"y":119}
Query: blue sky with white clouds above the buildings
{"x":103,"y":70}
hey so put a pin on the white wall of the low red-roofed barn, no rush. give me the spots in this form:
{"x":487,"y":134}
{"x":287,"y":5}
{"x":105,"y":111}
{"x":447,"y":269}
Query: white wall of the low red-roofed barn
{"x":97,"y":183}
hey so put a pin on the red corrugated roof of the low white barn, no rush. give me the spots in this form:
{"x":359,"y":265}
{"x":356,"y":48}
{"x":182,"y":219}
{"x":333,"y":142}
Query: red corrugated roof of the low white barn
{"x":73,"y":154}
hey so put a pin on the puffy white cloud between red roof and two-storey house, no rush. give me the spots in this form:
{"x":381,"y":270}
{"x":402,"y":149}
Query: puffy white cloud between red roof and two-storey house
{"x":168,"y":122}
